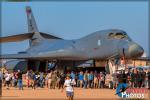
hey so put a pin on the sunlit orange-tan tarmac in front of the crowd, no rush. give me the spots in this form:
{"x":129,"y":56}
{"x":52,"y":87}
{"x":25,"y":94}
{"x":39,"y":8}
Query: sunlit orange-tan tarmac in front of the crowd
{"x":56,"y":94}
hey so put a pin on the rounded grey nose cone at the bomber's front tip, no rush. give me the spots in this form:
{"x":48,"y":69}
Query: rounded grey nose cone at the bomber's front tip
{"x":135,"y":50}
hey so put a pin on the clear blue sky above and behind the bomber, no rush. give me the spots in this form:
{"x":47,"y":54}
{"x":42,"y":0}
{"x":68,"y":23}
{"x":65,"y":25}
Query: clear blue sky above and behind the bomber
{"x":72,"y":20}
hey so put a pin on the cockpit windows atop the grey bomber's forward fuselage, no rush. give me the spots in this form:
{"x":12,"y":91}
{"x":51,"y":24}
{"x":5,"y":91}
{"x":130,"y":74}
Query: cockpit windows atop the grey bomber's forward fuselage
{"x":117,"y":35}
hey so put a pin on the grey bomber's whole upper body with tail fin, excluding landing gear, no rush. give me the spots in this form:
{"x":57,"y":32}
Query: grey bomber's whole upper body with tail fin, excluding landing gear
{"x":102,"y":44}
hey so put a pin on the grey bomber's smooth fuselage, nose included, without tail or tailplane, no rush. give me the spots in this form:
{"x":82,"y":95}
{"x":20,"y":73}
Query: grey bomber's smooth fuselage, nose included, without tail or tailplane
{"x":97,"y":45}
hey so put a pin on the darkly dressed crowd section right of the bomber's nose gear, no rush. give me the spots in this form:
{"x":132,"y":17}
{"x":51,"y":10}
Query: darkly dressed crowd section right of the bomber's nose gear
{"x":135,"y":78}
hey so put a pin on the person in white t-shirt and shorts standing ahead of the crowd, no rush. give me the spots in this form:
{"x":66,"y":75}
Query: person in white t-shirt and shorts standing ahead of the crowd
{"x":69,"y":88}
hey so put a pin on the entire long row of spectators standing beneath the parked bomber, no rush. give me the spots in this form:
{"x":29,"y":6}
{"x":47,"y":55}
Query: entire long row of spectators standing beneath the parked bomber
{"x":82,"y":79}
